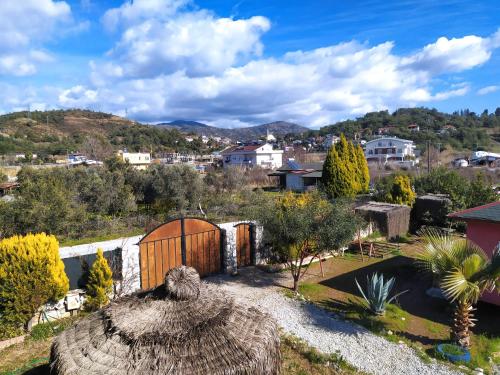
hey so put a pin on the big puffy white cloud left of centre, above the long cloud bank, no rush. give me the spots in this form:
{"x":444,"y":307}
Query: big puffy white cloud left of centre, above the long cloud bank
{"x":195,"y":42}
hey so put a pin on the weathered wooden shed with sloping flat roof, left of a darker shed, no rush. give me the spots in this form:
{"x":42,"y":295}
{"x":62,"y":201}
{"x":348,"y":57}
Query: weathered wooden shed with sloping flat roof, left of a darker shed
{"x":392,"y":220}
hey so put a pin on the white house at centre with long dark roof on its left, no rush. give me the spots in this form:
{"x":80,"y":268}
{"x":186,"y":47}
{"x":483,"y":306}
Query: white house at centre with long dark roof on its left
{"x":252,"y":156}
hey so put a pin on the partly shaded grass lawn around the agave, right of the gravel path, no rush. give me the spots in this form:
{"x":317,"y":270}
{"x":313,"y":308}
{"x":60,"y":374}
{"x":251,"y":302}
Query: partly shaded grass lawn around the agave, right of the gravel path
{"x":415,"y":317}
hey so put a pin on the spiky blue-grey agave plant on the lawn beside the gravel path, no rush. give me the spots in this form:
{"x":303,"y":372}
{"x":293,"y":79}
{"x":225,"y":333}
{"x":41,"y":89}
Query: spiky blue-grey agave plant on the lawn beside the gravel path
{"x":377,"y":292}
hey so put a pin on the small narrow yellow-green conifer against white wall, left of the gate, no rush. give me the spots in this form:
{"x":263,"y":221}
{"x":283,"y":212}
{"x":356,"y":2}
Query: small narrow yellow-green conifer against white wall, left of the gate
{"x":100,"y":283}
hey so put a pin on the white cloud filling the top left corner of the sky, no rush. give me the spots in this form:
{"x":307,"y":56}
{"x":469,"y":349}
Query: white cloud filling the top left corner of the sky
{"x":24,"y":25}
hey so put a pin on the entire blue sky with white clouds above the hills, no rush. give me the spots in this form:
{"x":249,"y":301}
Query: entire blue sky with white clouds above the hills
{"x":237,"y":63}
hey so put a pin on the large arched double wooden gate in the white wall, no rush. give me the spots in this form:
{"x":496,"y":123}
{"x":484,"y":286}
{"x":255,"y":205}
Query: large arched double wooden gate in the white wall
{"x":186,"y":241}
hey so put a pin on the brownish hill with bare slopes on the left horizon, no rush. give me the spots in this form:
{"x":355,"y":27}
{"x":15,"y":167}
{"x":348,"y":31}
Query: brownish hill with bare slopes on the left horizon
{"x":94,"y":133}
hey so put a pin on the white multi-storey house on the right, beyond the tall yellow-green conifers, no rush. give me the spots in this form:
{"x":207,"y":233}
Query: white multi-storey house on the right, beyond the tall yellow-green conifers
{"x":389,"y":149}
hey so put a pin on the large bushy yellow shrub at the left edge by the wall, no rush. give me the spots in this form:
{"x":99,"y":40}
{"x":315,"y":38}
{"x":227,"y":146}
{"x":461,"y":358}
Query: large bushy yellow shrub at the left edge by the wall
{"x":31,"y":274}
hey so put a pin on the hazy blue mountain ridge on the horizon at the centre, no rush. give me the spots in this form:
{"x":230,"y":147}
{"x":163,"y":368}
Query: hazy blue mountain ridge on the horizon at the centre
{"x":278,"y":128}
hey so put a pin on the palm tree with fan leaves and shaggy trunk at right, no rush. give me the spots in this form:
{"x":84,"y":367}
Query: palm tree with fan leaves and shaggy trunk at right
{"x":464,"y":272}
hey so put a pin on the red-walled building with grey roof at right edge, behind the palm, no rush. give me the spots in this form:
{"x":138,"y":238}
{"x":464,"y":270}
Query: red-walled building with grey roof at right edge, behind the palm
{"x":483,"y":229}
